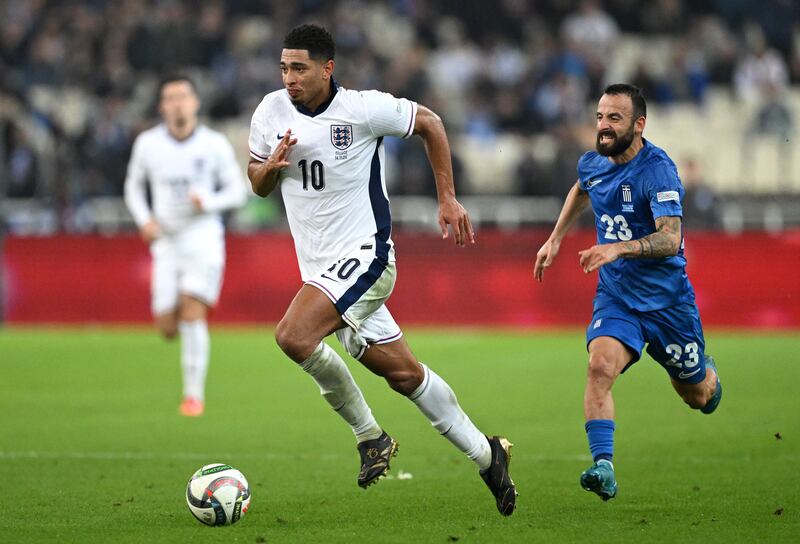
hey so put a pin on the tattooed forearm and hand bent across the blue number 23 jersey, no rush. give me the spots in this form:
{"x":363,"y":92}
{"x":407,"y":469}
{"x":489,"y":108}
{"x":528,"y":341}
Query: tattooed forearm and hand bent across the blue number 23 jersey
{"x":664,"y":242}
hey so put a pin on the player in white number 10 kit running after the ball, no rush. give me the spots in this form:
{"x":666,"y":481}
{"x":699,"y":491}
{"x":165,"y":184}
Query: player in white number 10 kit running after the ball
{"x":322,"y":144}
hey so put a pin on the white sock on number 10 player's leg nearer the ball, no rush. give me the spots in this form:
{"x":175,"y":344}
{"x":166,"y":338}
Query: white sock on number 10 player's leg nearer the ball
{"x":337,"y":386}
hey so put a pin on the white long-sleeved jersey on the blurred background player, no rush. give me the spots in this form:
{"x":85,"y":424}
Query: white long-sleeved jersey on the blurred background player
{"x":203,"y":164}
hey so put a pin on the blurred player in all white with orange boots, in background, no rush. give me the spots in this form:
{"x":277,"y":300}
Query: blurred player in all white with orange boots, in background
{"x":193,"y":177}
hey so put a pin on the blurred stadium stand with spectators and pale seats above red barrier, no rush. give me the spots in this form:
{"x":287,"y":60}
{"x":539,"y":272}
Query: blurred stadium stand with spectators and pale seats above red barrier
{"x":77,"y":83}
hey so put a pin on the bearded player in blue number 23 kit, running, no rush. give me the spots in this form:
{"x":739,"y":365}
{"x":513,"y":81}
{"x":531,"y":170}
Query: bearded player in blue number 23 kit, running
{"x":644,"y":296}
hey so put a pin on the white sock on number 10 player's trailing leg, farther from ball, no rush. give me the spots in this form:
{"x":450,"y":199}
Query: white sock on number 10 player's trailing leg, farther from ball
{"x":437,"y":401}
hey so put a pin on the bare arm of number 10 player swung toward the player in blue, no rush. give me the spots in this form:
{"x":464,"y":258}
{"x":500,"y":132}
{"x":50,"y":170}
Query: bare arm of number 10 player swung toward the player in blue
{"x":430,"y":128}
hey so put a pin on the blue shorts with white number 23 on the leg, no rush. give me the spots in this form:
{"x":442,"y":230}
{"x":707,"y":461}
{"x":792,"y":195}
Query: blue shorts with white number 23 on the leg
{"x":674,"y":335}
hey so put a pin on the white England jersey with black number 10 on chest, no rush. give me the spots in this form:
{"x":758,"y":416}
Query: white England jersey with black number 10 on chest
{"x":334,"y":189}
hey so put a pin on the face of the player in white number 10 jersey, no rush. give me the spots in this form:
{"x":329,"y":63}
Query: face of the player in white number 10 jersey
{"x":306,"y":80}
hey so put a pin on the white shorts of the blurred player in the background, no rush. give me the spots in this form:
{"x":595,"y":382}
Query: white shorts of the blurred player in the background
{"x":190,"y":263}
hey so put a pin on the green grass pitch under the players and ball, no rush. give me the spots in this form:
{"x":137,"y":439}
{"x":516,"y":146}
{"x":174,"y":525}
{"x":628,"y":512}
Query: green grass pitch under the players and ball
{"x":92,"y":448}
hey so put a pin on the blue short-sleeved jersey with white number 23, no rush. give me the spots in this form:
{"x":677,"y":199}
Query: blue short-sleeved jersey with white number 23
{"x":627,"y":198}
